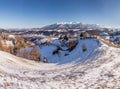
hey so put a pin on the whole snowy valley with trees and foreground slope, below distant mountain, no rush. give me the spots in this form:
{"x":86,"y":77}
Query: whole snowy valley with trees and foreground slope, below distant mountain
{"x":89,"y":59}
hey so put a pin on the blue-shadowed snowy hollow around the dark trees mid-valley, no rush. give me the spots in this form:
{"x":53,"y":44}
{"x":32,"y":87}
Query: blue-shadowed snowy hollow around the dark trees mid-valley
{"x":74,"y":56}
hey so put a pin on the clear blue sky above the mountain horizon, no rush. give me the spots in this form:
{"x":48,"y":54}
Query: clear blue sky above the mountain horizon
{"x":38,"y":13}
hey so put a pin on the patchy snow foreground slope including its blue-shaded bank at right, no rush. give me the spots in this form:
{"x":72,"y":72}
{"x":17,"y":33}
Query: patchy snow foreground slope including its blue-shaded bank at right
{"x":99,"y":70}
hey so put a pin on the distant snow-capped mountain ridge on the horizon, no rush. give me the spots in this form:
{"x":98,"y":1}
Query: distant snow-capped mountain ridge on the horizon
{"x":71,"y":25}
